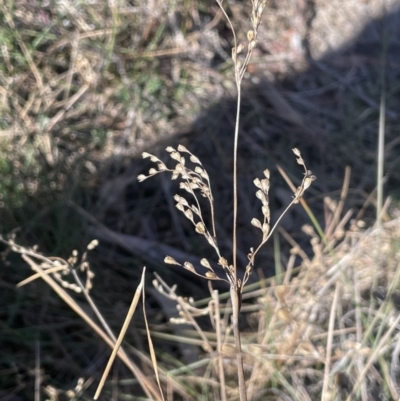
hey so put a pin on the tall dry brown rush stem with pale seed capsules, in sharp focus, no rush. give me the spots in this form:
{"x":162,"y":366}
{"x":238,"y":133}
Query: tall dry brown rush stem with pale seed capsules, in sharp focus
{"x":195,"y":181}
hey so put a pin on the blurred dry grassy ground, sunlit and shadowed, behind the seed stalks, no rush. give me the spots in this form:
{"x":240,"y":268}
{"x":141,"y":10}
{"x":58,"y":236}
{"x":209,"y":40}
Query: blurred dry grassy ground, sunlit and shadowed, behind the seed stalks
{"x":85,"y":87}
